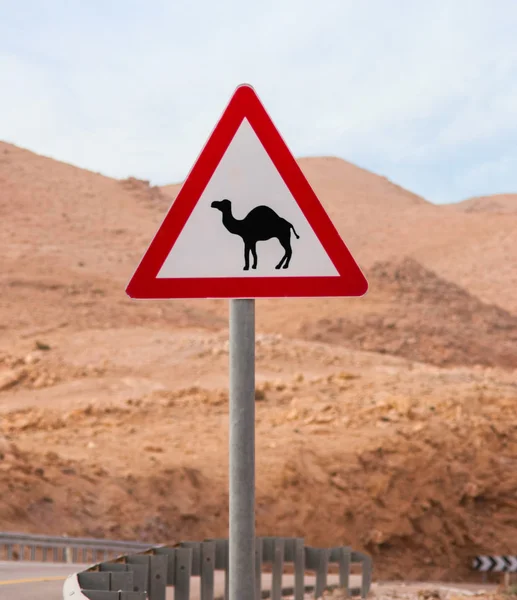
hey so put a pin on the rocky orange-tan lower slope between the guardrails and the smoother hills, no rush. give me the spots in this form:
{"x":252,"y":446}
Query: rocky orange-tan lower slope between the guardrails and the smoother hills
{"x":403,"y":459}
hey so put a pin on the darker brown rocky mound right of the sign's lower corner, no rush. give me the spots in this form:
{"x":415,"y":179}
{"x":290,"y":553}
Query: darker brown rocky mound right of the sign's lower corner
{"x":418,"y":315}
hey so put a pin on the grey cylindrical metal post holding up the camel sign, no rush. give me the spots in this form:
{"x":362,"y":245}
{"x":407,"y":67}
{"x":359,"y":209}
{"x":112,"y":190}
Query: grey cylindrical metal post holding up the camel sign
{"x":242,"y":450}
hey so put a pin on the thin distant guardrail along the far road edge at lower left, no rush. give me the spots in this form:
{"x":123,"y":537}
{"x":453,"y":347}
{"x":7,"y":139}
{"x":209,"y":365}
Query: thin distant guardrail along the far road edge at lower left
{"x":24,"y":546}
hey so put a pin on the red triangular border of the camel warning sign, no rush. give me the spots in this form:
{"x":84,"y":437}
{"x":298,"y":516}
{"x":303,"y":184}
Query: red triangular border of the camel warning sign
{"x":145,"y":285}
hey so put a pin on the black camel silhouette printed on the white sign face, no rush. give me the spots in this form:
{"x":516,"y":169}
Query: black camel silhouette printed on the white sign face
{"x":261,"y":223}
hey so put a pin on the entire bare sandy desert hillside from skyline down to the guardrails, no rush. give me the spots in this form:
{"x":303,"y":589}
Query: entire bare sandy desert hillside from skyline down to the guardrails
{"x":388,"y":416}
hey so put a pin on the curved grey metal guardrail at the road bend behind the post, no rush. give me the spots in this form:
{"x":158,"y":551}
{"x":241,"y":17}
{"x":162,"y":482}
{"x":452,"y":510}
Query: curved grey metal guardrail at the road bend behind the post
{"x":146,"y":575}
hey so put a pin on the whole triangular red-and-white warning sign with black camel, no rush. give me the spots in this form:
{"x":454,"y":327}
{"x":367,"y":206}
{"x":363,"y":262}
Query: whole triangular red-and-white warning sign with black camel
{"x":246,"y":223}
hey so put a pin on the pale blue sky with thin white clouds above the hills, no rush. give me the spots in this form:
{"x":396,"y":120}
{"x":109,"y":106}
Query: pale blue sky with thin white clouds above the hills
{"x":423,"y":92}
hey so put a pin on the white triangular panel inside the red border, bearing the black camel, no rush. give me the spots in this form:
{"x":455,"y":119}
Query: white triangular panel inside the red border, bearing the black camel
{"x":222,"y":239}
